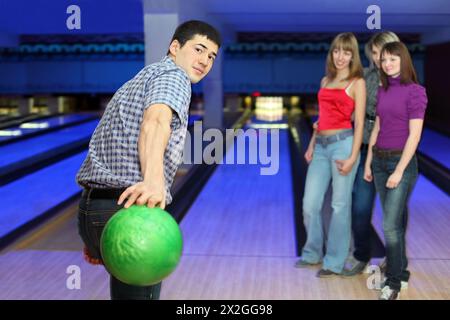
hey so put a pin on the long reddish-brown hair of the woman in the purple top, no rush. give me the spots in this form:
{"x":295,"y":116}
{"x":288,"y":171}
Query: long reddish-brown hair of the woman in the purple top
{"x":407,"y":71}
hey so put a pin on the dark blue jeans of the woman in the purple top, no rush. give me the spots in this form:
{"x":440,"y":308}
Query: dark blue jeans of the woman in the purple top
{"x":395,"y":214}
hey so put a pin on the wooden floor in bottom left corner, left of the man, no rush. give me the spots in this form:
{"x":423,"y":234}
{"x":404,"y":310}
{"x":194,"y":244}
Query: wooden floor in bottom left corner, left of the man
{"x":36,"y":266}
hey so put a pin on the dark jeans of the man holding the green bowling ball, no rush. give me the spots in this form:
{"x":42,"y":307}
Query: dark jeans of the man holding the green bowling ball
{"x":93,"y":214}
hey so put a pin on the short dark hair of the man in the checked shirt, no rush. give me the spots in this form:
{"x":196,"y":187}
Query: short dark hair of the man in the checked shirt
{"x":187,"y":30}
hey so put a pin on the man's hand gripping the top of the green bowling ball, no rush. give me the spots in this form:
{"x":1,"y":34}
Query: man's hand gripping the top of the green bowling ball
{"x":142,"y":193}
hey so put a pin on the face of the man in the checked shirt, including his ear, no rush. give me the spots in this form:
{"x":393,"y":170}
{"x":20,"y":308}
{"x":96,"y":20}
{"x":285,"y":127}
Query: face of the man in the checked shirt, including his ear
{"x":196,"y":57}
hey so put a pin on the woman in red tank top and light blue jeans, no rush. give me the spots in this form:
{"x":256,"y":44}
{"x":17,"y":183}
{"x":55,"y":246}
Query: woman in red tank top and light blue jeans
{"x":333,"y":156}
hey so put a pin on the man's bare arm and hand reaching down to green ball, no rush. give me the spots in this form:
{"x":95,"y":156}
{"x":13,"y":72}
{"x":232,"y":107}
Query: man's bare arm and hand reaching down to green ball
{"x":153,"y":140}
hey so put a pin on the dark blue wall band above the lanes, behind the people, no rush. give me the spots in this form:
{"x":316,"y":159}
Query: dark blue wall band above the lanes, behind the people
{"x":102,"y":68}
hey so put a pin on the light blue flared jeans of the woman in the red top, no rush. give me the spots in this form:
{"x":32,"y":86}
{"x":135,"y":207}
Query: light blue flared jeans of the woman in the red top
{"x":321,"y":171}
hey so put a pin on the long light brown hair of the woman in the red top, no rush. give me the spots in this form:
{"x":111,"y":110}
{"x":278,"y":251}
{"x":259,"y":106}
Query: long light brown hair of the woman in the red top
{"x":345,"y":41}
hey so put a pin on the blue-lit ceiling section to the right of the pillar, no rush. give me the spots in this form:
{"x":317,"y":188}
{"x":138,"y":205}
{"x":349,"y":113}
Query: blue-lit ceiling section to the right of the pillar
{"x":329,"y":15}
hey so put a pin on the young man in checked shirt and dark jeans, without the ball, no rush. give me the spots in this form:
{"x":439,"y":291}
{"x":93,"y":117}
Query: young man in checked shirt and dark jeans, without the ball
{"x":137,"y":147}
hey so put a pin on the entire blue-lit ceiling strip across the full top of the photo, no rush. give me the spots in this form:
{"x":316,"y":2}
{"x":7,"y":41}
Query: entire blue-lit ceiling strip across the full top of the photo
{"x":39,"y":17}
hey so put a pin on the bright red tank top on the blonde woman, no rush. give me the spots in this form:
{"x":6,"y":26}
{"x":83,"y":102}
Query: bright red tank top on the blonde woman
{"x":335,"y":108}
